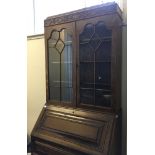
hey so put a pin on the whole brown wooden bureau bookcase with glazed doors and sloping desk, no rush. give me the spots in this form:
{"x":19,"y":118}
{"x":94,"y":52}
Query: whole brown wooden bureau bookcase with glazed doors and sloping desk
{"x":82,"y":115}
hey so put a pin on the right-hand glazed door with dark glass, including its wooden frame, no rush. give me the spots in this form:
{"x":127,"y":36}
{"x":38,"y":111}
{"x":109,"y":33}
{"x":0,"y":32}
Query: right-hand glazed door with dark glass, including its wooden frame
{"x":96,"y":62}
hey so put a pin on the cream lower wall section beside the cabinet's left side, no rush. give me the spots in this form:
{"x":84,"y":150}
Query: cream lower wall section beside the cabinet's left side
{"x":36,"y":90}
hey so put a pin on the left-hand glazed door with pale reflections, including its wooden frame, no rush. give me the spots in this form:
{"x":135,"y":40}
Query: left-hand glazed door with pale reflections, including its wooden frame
{"x":60,"y":64}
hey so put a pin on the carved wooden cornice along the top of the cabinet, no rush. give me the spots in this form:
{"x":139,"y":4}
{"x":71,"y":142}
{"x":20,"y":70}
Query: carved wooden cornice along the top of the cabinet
{"x":94,"y":11}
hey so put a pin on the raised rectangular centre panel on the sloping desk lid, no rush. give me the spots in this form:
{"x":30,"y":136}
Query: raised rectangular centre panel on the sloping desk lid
{"x":82,"y":128}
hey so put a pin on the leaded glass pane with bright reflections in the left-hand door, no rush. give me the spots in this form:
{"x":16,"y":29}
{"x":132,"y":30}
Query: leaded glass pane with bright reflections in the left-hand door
{"x":60,"y":66}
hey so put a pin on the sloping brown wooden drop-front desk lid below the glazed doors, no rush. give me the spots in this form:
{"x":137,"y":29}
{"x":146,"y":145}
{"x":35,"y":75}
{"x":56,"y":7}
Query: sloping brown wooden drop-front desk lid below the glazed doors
{"x":76,"y":132}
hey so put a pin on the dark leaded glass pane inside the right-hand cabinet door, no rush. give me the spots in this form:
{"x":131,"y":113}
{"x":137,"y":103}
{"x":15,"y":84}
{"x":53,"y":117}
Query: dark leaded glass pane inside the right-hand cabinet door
{"x":95,"y":65}
